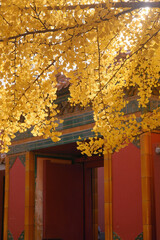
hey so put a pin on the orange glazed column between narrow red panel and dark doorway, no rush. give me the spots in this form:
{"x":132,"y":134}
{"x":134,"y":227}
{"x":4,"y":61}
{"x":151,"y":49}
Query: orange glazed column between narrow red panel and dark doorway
{"x":29,"y":196}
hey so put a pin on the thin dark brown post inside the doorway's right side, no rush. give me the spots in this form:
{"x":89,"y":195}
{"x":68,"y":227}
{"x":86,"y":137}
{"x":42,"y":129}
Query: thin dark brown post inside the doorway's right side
{"x":95,"y":203}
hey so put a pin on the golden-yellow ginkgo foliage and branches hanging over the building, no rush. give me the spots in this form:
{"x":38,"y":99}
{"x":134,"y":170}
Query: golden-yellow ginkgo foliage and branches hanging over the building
{"x":105,"y":48}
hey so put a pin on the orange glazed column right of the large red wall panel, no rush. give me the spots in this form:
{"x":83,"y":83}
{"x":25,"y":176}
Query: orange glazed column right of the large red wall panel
{"x":147,"y":186}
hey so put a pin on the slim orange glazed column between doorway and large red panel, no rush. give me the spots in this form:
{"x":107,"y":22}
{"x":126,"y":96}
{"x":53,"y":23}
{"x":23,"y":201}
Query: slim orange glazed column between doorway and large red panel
{"x":108,"y":196}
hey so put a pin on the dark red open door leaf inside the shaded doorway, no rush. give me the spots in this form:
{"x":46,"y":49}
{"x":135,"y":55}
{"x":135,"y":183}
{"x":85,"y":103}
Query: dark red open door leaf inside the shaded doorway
{"x":63,"y":201}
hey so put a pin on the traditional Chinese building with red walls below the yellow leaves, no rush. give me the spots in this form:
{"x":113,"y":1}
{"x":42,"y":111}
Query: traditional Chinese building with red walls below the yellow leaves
{"x":53,"y":192}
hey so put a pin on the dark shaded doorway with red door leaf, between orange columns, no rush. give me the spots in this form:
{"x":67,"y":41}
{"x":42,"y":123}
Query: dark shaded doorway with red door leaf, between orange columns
{"x":70,"y":193}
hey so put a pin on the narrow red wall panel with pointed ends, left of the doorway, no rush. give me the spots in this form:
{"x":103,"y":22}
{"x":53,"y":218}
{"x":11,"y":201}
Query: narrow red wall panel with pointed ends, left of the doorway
{"x":16,"y":199}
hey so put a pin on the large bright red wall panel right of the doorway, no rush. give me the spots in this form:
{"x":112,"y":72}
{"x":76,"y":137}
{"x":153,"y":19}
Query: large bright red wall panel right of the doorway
{"x":127,"y":202}
